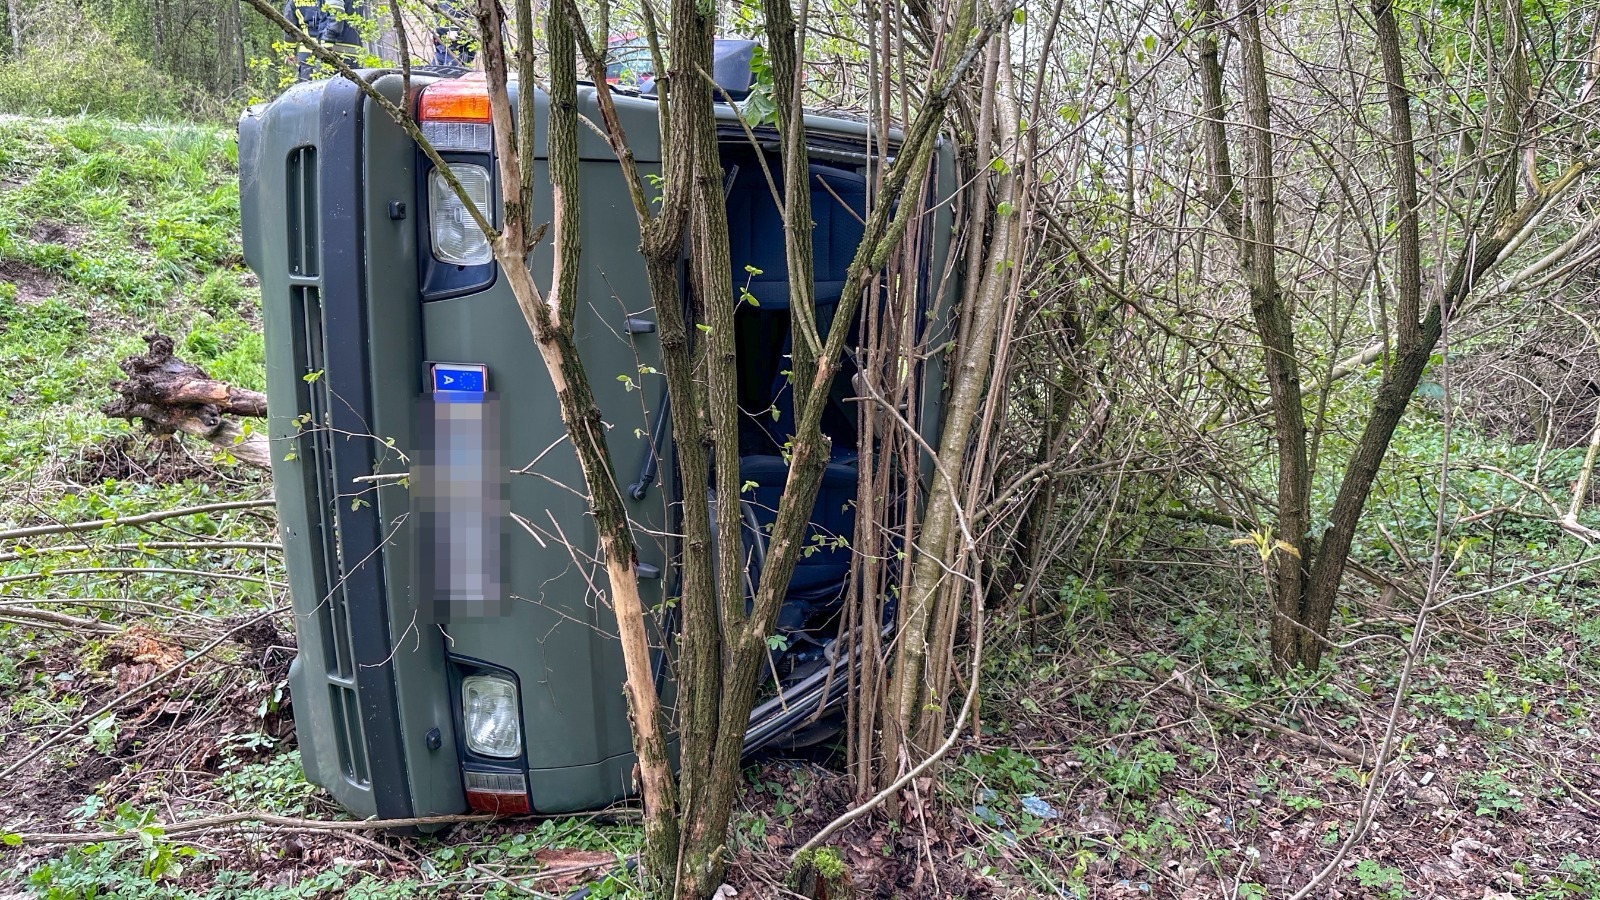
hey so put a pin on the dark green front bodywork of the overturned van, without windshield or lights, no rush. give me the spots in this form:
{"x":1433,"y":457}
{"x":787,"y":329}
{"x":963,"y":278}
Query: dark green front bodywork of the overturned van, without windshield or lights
{"x":356,"y":308}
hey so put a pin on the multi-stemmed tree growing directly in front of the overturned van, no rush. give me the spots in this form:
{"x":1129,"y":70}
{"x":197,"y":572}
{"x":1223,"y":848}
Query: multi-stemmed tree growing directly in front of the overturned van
{"x":721,"y":648}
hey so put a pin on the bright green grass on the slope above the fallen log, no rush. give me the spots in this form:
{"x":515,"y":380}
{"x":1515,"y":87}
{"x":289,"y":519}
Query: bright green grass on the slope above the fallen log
{"x":110,"y":231}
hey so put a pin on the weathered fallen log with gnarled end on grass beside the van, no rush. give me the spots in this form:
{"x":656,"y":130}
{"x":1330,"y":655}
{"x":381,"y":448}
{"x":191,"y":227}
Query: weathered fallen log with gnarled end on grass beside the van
{"x":175,"y":396}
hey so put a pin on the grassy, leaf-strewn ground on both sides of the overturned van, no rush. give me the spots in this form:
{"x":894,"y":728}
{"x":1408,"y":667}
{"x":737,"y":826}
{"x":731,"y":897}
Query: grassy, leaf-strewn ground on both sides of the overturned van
{"x":1130,"y":742}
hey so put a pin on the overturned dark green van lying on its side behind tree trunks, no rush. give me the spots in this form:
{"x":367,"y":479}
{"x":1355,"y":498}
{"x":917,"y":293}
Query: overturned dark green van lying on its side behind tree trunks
{"x":394,"y":345}
